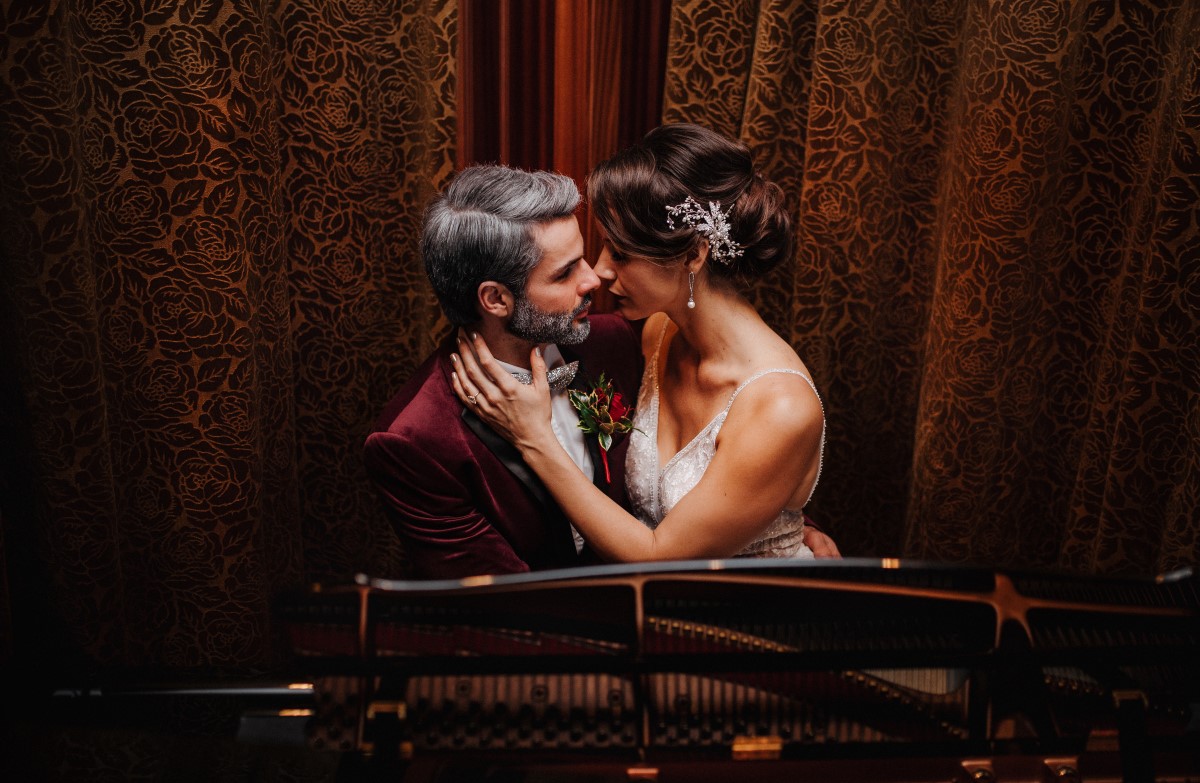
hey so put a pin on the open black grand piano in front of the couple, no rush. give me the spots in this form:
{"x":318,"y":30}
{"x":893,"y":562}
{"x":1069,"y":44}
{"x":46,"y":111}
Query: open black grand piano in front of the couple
{"x":731,"y":671}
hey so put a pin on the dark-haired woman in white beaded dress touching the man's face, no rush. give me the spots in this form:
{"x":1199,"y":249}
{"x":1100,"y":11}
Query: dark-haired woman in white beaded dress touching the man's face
{"x":730,"y":429}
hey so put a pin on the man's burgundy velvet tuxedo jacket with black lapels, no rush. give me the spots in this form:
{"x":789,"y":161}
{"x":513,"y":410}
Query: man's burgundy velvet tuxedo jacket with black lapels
{"x":460,"y":497}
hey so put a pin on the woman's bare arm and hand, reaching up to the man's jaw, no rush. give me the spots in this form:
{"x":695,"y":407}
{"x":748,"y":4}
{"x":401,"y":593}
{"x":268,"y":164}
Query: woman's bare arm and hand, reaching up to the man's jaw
{"x":772,"y":437}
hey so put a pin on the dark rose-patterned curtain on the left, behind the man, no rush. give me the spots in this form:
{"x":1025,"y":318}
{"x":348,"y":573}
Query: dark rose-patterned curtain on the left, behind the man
{"x":211,"y":288}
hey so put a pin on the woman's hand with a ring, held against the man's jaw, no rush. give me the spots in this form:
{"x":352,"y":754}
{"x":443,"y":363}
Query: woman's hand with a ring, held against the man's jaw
{"x":519,"y":413}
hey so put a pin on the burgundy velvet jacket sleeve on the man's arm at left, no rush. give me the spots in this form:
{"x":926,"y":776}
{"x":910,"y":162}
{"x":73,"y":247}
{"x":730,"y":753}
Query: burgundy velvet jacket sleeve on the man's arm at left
{"x":446,"y":535}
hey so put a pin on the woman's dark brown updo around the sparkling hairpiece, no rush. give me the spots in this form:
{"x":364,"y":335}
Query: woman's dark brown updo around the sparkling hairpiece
{"x":631,"y":193}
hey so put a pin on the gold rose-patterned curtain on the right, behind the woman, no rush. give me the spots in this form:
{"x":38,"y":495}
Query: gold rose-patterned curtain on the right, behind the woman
{"x":998,"y":285}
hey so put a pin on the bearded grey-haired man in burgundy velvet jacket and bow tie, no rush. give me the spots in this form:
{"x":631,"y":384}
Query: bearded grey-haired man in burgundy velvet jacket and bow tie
{"x":505,"y":254}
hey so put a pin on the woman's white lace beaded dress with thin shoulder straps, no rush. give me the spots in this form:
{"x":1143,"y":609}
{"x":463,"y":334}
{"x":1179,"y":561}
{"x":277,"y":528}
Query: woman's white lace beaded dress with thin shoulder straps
{"x":653,"y":493}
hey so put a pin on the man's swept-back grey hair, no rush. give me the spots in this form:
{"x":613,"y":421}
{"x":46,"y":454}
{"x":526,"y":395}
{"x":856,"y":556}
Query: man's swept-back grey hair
{"x":482,"y":229}
